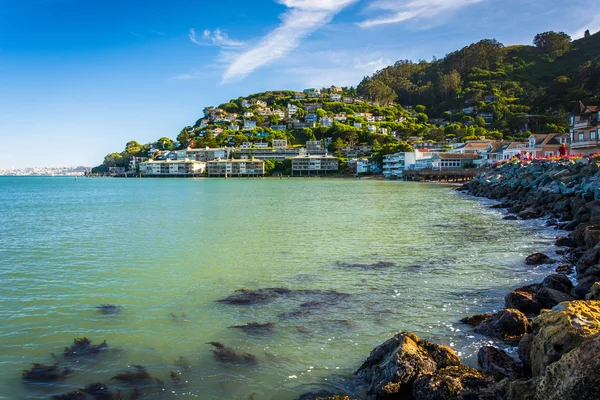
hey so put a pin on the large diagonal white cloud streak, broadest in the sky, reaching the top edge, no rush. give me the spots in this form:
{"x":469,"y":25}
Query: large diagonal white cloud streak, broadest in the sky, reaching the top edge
{"x":302,"y":18}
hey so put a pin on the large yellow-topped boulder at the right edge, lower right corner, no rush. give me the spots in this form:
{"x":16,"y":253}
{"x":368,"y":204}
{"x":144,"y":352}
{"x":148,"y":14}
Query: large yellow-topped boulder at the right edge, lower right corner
{"x":561,"y":330}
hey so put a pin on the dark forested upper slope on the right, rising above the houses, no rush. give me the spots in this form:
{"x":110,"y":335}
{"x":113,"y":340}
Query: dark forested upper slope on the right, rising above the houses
{"x":545,"y":78}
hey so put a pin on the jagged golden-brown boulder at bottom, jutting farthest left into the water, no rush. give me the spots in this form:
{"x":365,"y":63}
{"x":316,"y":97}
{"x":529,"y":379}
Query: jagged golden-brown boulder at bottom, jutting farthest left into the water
{"x":392,"y":367}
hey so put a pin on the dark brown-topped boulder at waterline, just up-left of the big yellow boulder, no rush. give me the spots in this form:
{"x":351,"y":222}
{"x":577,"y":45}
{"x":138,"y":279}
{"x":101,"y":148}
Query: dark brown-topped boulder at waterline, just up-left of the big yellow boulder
{"x":508,"y":325}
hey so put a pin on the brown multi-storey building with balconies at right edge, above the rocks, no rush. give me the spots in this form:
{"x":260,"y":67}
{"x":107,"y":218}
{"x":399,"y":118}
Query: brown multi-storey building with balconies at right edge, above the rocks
{"x":583,"y":130}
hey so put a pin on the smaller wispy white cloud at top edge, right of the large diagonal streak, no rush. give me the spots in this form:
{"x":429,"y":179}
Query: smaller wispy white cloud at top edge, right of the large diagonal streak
{"x":401,"y":11}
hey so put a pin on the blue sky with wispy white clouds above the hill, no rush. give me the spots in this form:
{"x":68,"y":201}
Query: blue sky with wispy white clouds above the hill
{"x":79,"y":78}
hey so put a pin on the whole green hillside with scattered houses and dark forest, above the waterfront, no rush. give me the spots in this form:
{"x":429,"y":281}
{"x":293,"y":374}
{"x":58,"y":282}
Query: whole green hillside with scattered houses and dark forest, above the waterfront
{"x":483,"y":90}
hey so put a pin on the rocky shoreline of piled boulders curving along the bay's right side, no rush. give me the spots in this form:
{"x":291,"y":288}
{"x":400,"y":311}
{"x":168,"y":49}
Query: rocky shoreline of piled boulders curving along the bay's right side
{"x":554,"y":324}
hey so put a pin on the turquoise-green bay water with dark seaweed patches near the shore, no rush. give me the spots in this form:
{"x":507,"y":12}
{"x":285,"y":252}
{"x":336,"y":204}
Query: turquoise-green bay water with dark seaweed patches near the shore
{"x":167,"y":249}
